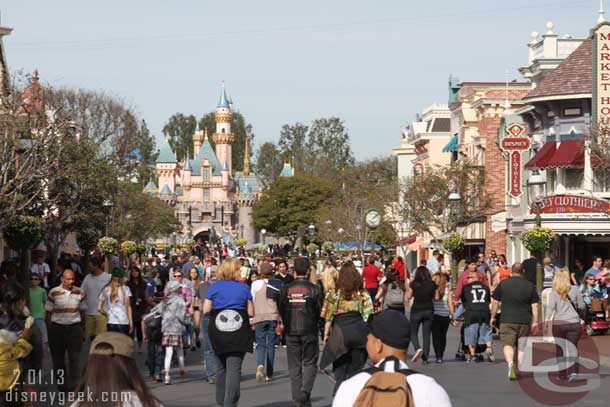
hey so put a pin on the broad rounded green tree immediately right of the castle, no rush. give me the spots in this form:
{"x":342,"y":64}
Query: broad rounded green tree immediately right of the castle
{"x":291,"y":203}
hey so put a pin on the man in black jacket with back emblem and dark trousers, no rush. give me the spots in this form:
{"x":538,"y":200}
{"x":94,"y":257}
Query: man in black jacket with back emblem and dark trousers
{"x":299,"y":306}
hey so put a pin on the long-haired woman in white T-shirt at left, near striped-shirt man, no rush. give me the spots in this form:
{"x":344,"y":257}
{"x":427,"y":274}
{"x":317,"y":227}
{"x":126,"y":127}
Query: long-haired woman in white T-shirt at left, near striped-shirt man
{"x":115,"y":304}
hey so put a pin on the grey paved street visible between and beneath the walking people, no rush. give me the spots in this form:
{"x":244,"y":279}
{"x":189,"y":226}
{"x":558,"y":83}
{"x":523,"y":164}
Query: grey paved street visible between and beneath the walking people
{"x":481,"y":384}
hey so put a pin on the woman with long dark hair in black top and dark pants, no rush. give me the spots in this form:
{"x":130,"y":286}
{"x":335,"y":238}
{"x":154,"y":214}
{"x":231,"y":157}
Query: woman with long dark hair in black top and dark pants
{"x":422,"y":290}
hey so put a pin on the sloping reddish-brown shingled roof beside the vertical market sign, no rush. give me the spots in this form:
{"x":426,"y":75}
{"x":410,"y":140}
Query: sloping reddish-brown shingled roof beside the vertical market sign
{"x":572,"y":77}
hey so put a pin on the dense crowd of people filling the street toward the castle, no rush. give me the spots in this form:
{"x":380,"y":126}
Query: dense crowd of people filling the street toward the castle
{"x":234,"y":306}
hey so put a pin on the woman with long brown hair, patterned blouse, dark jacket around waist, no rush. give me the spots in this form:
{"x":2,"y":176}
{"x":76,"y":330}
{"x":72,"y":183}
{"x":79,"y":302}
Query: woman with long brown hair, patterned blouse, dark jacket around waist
{"x":346,"y":312}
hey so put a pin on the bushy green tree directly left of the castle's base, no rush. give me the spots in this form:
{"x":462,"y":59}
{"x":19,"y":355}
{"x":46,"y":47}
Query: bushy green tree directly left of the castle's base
{"x":138,"y":216}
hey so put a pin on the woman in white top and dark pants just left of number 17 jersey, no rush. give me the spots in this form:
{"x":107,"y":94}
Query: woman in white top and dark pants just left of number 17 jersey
{"x":443,"y":314}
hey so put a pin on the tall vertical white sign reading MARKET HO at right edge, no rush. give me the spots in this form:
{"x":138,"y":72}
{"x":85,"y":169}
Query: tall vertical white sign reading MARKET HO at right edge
{"x":601,"y":75}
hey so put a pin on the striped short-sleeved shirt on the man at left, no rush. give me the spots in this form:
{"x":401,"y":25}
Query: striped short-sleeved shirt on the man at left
{"x":65,"y":306}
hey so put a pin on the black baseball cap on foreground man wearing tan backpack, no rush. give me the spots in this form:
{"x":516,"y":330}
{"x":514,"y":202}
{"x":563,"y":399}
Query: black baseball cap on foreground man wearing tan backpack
{"x":392,"y":328}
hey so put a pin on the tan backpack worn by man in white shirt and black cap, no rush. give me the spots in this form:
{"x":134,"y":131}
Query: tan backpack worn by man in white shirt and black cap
{"x":386,"y":388}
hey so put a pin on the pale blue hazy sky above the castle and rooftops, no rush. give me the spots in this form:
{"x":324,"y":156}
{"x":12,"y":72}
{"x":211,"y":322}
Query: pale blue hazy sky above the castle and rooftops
{"x":374,"y":64}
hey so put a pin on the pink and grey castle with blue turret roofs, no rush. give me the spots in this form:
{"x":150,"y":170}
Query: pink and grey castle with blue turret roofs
{"x":207,"y":195}
